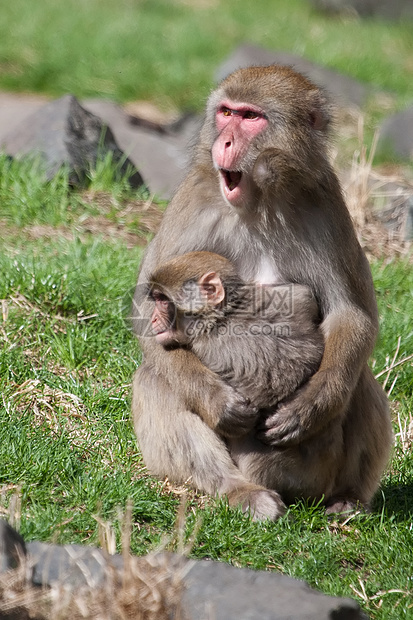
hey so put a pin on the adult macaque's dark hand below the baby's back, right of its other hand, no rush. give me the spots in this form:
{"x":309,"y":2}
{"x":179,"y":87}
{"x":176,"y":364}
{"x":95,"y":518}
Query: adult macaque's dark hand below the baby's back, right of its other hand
{"x":303,"y":414}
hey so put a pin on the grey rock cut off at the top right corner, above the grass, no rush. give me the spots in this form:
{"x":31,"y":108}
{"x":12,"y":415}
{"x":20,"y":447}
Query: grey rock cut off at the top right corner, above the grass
{"x":389,"y":9}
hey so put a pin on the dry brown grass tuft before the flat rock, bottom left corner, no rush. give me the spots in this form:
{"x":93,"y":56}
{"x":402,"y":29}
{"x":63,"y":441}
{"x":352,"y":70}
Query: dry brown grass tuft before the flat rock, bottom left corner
{"x":149,"y":588}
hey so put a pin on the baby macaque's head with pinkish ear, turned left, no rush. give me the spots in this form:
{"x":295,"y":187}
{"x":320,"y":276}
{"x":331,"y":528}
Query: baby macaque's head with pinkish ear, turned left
{"x":188,"y":289}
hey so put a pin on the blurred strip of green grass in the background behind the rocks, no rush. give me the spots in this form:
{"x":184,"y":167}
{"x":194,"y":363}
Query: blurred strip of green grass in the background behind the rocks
{"x":167,"y":50}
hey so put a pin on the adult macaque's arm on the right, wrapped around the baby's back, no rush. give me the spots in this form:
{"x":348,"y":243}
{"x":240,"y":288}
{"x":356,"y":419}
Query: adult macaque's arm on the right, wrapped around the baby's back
{"x":347,"y":302}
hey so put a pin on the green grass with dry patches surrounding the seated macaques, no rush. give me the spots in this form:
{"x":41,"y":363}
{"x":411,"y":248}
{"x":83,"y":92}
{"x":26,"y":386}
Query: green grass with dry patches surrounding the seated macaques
{"x":67,"y":448}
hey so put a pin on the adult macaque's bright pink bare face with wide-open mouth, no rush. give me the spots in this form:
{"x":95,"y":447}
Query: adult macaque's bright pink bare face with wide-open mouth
{"x":237,"y":123}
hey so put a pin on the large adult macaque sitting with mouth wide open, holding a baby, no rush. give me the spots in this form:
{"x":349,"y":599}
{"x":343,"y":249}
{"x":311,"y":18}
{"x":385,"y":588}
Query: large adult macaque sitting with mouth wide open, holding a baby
{"x":262,"y":193}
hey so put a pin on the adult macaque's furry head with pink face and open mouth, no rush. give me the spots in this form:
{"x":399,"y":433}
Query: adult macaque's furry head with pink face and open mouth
{"x":257,"y":109}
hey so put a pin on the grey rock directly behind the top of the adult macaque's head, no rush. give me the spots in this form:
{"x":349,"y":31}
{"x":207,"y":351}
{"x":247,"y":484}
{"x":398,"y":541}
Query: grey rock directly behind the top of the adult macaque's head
{"x":343,"y":88}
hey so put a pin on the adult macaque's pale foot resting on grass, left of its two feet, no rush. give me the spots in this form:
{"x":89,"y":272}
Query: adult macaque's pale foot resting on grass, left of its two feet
{"x":259,"y":502}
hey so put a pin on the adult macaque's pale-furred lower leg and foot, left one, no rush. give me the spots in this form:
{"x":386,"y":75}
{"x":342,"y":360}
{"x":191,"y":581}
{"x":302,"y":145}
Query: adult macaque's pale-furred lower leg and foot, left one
{"x":177,"y":443}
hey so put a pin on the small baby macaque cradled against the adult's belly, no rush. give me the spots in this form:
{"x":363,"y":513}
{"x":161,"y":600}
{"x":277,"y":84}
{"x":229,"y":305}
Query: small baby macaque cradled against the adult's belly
{"x":263,"y":340}
